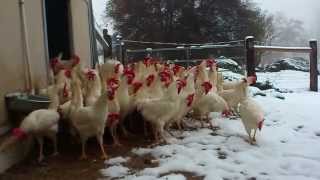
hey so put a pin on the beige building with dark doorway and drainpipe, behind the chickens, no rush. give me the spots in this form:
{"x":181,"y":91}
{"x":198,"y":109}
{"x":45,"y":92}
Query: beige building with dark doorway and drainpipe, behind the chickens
{"x":32,"y":32}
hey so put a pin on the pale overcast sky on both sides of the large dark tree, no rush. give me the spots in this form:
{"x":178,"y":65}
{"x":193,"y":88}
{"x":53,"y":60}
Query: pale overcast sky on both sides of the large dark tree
{"x":305,"y":10}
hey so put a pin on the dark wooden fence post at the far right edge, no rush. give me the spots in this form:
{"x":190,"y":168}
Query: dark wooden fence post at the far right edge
{"x":313,"y":66}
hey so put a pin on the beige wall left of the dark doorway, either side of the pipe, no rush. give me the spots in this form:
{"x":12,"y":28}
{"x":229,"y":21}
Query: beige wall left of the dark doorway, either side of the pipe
{"x":12,"y":65}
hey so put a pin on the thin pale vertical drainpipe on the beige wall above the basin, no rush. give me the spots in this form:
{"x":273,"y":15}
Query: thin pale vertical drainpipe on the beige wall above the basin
{"x":25,"y":48}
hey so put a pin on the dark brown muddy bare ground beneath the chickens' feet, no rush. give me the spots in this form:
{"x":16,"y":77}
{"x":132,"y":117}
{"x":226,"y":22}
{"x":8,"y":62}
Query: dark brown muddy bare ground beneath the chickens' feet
{"x":67,"y":166}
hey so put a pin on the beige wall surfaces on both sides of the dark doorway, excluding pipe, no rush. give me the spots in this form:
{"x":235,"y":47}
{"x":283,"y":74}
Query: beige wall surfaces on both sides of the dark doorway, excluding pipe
{"x":12,"y":75}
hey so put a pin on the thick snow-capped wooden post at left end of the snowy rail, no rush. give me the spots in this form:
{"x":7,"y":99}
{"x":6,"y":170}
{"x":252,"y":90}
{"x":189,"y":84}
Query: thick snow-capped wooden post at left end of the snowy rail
{"x":249,"y":43}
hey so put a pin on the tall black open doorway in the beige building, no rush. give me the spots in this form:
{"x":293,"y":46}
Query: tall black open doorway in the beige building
{"x":58,"y":28}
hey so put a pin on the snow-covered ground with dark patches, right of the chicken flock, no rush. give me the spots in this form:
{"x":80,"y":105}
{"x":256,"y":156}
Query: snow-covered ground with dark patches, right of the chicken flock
{"x":288,"y":147}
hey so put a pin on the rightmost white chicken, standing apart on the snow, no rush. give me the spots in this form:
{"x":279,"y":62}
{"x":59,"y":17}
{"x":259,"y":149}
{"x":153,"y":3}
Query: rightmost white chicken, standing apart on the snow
{"x":252,"y":117}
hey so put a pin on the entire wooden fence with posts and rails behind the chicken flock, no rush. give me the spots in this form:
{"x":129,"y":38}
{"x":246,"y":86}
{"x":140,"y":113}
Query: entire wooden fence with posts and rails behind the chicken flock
{"x":250,"y":56}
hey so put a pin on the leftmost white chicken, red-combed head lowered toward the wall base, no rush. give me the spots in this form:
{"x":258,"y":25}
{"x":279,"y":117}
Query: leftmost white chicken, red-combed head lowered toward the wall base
{"x":39,"y":123}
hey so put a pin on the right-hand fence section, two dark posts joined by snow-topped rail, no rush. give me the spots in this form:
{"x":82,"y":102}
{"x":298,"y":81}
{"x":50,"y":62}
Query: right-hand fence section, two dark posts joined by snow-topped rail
{"x":251,"y":49}
